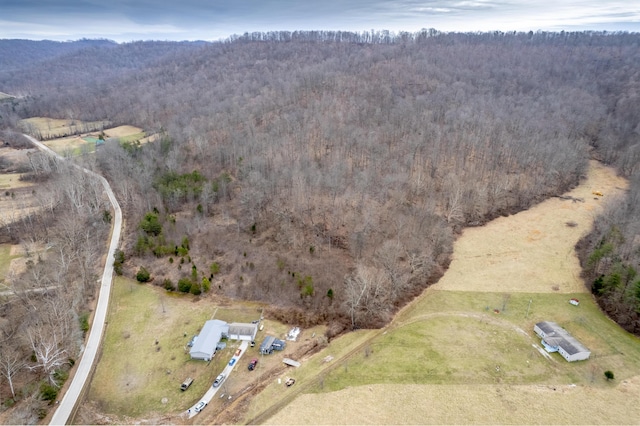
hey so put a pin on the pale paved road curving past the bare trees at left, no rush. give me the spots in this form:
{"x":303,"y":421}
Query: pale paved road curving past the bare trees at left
{"x":64,"y":410}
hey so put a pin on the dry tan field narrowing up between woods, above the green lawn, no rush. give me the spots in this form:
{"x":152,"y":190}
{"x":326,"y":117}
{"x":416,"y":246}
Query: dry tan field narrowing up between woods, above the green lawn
{"x":532,"y":251}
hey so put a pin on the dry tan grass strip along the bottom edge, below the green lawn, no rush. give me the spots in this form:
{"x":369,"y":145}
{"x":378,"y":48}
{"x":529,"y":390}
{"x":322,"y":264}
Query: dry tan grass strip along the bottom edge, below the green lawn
{"x":467,"y":404}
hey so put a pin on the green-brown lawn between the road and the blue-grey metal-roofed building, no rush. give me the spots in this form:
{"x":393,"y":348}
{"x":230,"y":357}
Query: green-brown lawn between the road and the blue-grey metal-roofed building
{"x":135,"y":374}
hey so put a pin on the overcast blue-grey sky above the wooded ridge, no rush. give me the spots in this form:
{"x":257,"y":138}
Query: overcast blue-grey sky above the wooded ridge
{"x":127,"y":20}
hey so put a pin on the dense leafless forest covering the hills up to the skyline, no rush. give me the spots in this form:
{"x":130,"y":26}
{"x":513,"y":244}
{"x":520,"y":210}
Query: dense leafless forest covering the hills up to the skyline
{"x":327,"y":173}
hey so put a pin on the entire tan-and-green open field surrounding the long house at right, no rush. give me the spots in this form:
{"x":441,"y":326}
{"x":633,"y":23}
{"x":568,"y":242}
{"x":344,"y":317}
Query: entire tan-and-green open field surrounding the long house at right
{"x":447,"y":358}
